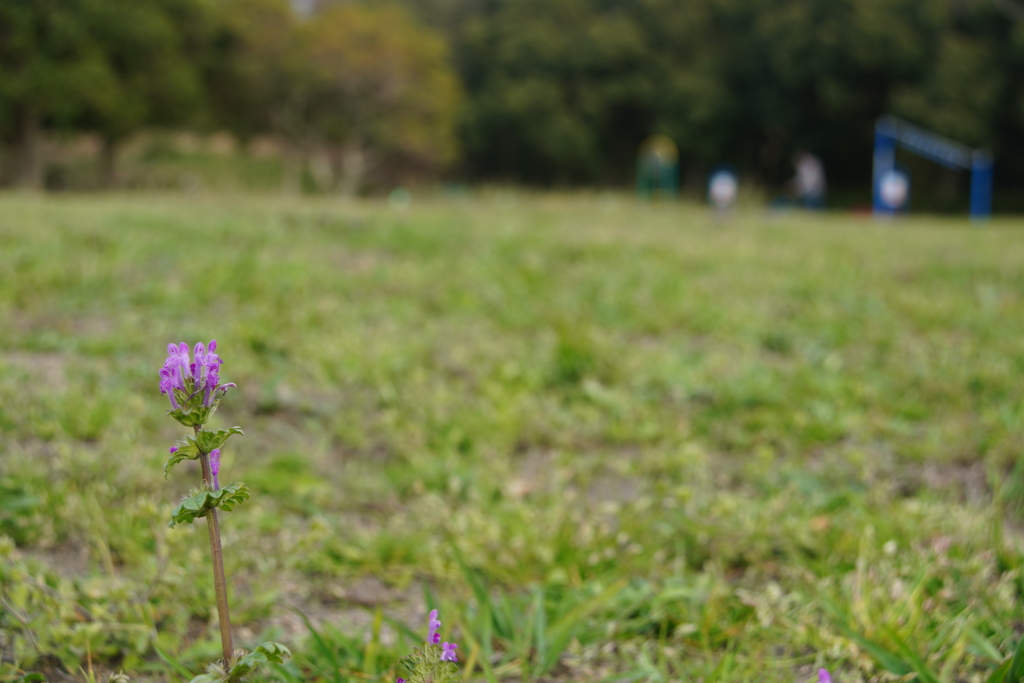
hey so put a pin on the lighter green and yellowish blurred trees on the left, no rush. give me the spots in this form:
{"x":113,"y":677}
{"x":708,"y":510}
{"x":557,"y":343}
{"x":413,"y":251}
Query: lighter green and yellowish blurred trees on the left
{"x":343,"y":89}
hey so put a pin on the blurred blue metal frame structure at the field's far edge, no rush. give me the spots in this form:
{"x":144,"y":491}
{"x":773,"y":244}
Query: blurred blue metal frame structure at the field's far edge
{"x":890,"y":133}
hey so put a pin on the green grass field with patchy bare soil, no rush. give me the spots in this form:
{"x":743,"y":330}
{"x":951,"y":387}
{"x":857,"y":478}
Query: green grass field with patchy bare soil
{"x":608,"y":440}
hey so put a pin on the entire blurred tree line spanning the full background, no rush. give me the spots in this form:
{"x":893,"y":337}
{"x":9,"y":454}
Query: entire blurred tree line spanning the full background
{"x":522,"y":91}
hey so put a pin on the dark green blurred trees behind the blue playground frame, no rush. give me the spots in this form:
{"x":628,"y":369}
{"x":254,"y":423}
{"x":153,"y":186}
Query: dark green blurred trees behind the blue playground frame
{"x":567,"y":92}
